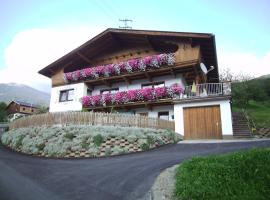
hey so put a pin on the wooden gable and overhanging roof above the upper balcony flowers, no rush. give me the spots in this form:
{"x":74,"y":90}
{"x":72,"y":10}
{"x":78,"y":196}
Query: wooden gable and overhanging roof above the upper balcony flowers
{"x":116,"y":45}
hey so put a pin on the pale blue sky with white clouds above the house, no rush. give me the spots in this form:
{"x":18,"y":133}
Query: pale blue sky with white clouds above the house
{"x":34,"y":33}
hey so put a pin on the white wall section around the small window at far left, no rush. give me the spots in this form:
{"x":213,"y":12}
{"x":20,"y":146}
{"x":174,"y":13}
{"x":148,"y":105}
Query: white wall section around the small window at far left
{"x":80,"y":90}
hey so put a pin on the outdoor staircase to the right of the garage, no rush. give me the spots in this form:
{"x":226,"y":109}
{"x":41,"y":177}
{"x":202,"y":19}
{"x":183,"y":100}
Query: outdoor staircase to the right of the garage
{"x":240,"y":126}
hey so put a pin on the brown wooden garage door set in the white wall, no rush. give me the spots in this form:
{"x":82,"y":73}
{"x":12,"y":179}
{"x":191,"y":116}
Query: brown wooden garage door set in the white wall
{"x":202,"y":122}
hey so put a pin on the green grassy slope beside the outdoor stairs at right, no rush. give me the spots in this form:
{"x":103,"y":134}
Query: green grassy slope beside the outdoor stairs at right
{"x":258,"y":111}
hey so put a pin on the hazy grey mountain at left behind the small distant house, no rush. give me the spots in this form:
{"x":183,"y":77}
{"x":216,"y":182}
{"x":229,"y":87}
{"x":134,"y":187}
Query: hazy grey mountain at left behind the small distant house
{"x":20,"y":92}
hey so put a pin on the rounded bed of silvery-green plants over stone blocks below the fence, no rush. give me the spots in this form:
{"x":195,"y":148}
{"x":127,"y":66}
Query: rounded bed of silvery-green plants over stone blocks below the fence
{"x":85,"y":141}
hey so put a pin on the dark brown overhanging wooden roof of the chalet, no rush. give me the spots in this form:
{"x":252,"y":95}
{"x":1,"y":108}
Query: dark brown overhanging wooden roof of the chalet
{"x":117,"y":38}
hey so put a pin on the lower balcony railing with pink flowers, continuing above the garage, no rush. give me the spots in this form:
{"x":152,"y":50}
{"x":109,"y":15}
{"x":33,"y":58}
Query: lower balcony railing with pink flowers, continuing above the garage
{"x":161,"y":95}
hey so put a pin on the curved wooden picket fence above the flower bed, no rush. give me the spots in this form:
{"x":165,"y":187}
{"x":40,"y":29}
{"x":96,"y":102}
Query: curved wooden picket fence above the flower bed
{"x":91,"y":118}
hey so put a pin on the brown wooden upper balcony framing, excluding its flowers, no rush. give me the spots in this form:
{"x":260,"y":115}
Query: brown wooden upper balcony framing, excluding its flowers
{"x":187,"y":58}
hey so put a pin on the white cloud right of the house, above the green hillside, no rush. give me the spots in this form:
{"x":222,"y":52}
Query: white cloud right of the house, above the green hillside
{"x":245,"y":62}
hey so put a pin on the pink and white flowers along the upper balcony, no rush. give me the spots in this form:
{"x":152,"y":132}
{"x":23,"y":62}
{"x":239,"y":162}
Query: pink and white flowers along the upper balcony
{"x":130,"y":66}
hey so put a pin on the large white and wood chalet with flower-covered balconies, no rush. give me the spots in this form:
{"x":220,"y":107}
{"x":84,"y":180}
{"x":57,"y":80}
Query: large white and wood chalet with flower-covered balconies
{"x":150,"y":73}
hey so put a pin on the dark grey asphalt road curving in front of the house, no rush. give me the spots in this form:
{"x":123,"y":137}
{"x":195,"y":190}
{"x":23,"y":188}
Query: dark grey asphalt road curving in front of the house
{"x":121,"y":177}
